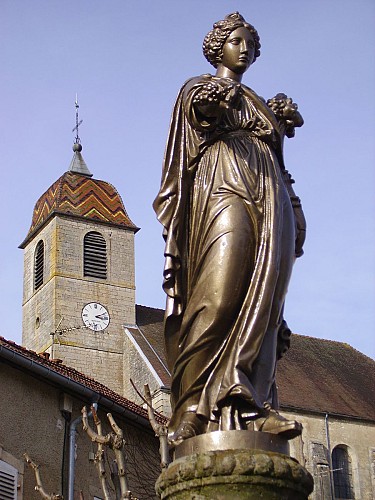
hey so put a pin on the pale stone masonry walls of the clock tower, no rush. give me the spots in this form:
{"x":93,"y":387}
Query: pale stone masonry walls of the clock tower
{"x":58,"y":303}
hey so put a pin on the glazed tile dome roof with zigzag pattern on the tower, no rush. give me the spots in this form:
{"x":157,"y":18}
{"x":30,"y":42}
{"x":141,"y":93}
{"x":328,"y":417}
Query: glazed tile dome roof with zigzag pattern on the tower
{"x":78,"y":195}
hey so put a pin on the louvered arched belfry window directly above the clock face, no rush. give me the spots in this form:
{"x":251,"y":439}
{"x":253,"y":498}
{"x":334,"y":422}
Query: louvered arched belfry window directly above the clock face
{"x":94,"y":255}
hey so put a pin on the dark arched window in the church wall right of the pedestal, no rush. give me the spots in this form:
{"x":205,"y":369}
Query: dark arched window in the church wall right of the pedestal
{"x":342,"y":473}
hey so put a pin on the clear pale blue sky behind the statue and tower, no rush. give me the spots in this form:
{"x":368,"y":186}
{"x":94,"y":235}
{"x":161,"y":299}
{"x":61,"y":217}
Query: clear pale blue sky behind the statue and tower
{"x":127,"y":60}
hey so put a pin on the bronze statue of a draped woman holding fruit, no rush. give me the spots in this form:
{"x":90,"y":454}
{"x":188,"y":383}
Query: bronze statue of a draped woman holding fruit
{"x":233,"y":228}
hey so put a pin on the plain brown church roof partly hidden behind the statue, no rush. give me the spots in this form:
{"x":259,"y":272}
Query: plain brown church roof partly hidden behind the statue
{"x":315,"y":375}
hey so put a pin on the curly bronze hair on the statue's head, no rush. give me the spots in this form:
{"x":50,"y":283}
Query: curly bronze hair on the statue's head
{"x":214,"y":40}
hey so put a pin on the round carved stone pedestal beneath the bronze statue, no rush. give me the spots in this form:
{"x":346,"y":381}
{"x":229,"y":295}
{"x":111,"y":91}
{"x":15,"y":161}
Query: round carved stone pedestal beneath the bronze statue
{"x":233,"y":474}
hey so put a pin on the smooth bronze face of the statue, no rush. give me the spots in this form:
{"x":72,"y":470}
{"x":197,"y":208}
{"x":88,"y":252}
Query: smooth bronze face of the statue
{"x":238,"y":51}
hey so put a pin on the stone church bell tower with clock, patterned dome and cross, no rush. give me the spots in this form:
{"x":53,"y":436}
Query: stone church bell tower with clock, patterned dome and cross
{"x":79,"y":283}
